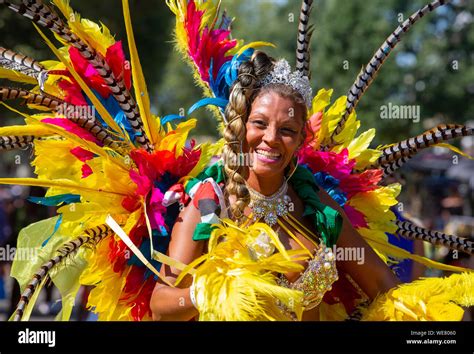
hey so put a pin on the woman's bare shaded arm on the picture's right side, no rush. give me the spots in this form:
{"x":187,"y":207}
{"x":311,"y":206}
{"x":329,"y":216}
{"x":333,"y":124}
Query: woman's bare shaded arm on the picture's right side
{"x":370,"y":273}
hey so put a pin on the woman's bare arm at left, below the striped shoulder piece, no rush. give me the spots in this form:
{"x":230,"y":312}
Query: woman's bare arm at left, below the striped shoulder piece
{"x":174,"y":304}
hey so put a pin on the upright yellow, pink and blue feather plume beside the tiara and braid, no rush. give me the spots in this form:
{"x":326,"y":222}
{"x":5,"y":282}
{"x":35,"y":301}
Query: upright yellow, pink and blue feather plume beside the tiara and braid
{"x":211,"y":52}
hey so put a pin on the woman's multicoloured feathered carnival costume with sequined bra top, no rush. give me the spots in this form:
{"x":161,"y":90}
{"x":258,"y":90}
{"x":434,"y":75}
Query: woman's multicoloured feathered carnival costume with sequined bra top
{"x":121,"y":174}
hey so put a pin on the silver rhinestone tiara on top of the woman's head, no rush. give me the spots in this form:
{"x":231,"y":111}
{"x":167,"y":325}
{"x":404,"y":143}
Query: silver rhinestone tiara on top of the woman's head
{"x":281,"y":74}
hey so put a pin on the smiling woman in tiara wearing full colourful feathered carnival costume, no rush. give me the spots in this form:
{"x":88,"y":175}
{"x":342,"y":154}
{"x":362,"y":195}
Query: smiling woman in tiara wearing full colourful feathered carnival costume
{"x":254,"y":236}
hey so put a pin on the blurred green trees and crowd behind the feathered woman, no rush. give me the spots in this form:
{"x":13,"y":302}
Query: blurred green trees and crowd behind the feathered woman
{"x":433,"y":68}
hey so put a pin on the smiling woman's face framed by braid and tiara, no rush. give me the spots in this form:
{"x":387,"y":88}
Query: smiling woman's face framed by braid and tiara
{"x":274,"y":133}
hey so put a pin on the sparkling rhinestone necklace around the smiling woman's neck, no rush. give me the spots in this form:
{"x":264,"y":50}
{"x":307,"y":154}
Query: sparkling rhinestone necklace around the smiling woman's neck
{"x":271,"y":207}
